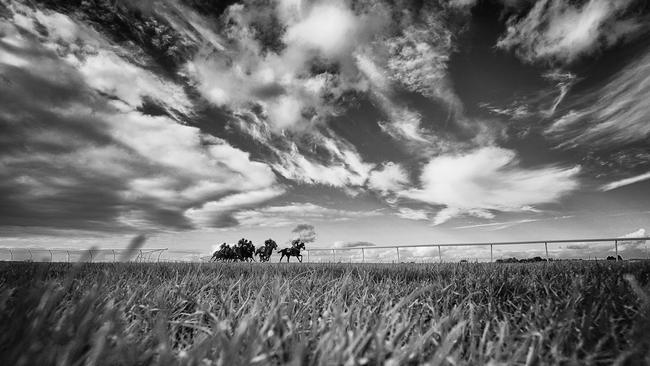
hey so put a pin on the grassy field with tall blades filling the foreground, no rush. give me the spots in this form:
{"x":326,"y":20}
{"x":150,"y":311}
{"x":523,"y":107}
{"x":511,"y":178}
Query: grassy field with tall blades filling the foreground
{"x":333,"y":314}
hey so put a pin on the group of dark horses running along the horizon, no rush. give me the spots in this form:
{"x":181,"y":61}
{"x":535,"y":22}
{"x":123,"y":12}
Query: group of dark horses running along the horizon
{"x":244,"y":251}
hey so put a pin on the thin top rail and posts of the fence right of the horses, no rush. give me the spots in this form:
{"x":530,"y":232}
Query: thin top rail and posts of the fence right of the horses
{"x":439,"y":246}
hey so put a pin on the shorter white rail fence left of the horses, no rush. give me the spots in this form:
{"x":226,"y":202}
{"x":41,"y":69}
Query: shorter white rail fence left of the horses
{"x":75,"y":255}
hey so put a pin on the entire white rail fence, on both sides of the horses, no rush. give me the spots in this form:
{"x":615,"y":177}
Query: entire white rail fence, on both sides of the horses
{"x":435,"y":252}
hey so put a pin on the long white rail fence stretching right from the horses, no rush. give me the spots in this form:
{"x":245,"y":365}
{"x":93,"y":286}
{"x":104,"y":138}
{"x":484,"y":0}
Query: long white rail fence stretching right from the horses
{"x":477,"y":250}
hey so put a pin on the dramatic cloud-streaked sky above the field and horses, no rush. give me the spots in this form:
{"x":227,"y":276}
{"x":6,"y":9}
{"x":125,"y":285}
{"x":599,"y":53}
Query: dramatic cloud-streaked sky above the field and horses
{"x":375,"y":122}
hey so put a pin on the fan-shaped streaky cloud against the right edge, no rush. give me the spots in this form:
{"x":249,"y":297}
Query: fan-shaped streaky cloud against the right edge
{"x":615,"y":114}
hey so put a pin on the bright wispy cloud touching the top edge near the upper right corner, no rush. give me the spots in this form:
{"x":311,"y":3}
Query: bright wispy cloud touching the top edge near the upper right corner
{"x":558,"y":31}
